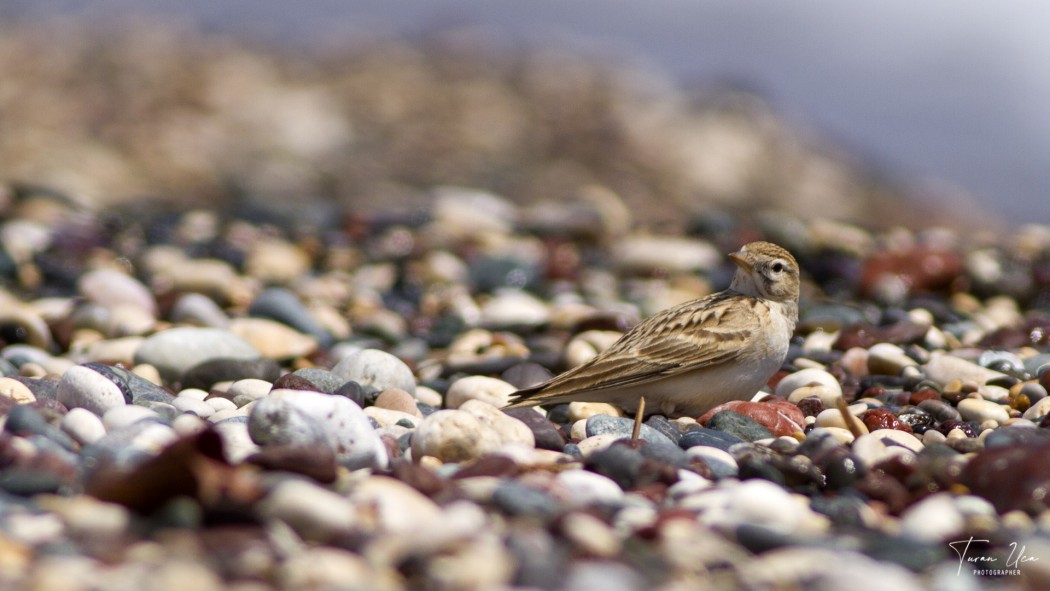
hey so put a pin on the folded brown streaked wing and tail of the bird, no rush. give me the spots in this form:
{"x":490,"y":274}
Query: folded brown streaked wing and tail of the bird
{"x":695,"y":335}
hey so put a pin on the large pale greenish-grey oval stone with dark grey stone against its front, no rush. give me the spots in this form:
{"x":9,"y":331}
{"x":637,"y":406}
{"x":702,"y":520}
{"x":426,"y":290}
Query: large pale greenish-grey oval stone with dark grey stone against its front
{"x":177,"y":351}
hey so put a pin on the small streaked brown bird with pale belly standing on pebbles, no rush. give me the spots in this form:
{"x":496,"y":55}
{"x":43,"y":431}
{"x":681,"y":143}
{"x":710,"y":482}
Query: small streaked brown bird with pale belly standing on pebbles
{"x":695,"y":356}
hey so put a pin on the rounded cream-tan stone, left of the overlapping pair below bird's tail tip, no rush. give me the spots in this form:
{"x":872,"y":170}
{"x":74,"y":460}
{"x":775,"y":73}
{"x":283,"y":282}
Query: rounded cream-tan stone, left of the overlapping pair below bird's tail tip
{"x":454,"y":436}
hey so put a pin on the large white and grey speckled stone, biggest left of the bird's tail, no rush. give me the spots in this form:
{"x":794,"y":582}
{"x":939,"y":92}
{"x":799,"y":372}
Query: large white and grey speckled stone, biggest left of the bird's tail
{"x":298,"y":417}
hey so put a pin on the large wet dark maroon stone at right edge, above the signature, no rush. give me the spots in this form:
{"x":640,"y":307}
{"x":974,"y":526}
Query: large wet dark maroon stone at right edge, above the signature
{"x":1014,"y":477}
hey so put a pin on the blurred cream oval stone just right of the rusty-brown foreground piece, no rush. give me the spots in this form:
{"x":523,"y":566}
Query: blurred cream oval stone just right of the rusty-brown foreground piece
{"x":314,"y":513}
